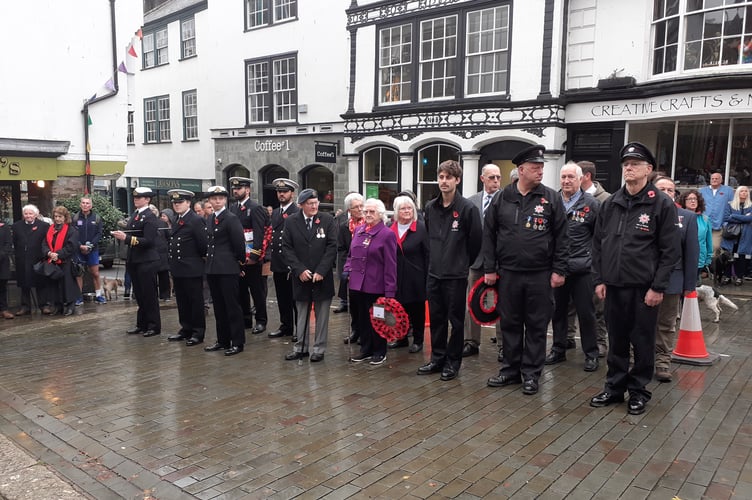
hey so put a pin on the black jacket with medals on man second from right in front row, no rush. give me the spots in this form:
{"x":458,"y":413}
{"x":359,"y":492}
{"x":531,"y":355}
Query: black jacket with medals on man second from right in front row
{"x":526,"y":233}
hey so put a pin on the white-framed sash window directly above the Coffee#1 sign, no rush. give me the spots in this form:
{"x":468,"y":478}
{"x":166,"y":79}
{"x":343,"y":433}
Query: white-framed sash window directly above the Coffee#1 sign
{"x":272,"y":97}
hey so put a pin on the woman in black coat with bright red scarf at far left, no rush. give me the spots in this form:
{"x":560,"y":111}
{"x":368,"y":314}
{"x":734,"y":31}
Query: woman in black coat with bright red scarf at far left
{"x":59,"y":248}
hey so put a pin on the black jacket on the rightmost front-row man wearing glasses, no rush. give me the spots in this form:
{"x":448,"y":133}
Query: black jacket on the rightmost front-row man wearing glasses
{"x":636,"y":241}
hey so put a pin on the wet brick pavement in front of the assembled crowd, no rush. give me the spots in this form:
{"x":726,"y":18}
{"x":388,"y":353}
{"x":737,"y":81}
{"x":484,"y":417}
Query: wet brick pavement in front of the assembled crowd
{"x":122,"y":416}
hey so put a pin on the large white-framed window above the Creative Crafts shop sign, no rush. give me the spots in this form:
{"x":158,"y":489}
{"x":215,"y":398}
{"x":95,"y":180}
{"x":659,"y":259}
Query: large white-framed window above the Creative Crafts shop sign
{"x":696,"y":34}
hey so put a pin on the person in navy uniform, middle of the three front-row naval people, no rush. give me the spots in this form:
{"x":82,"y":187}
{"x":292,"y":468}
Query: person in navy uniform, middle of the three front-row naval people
{"x":186,"y":254}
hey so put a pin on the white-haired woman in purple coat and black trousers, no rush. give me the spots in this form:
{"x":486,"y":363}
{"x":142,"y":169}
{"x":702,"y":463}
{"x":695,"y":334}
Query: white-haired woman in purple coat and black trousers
{"x":372,"y":271}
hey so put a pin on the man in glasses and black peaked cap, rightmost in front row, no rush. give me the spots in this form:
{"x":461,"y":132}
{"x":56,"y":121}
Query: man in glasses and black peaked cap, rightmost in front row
{"x":635,"y":246}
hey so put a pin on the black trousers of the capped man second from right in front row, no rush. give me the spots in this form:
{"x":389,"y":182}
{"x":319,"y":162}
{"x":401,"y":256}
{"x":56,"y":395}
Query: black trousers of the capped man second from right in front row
{"x":525,"y":305}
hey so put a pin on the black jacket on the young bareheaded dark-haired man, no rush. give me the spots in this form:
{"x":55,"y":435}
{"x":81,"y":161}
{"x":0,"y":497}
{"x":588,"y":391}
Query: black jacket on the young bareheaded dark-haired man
{"x":454,"y":235}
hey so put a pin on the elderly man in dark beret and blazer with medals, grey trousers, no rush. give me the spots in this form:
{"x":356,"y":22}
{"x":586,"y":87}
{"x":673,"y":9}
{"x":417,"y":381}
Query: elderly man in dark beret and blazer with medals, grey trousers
{"x":309,"y":244}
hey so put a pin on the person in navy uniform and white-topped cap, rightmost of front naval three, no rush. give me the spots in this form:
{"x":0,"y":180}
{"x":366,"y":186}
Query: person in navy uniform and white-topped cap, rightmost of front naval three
{"x":225,"y":252}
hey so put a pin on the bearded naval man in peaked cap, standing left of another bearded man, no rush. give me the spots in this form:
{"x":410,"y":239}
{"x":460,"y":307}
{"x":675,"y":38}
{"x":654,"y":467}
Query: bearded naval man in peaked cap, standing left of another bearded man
{"x":254,"y":219}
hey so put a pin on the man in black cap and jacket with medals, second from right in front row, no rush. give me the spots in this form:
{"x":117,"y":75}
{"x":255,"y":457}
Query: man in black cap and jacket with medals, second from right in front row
{"x":525,"y":248}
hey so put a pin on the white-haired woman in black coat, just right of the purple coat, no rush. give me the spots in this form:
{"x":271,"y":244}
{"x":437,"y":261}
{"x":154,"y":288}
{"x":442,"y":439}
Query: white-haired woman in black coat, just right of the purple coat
{"x":412,"y":268}
